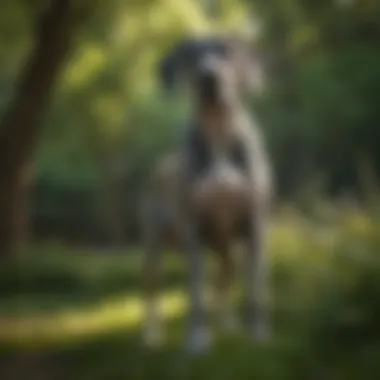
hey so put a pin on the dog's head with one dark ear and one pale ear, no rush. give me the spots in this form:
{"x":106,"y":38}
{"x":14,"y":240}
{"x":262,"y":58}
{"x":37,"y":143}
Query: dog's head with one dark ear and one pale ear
{"x":218,"y":68}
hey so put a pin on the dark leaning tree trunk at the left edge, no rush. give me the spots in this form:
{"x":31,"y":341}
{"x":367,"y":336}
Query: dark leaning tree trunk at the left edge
{"x":22,"y":121}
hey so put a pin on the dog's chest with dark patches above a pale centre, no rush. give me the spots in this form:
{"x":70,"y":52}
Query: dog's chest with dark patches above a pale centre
{"x":220,"y":189}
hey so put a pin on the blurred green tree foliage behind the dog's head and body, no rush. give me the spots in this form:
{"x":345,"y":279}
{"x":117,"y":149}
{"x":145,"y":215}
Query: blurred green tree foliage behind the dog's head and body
{"x":110,"y":122}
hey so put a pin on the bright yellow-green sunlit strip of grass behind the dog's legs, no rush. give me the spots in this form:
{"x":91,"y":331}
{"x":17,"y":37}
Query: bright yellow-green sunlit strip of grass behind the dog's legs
{"x":124,"y":313}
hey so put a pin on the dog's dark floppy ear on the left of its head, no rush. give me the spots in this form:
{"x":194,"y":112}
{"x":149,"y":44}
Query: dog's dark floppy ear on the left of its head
{"x":176,"y":62}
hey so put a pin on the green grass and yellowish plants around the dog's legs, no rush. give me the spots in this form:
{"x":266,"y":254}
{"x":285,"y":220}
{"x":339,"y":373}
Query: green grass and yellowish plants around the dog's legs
{"x":67,"y":314}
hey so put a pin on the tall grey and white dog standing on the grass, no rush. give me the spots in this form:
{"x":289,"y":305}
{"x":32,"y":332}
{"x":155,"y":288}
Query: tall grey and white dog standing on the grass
{"x":214,"y":191}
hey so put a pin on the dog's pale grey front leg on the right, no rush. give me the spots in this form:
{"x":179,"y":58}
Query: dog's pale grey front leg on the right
{"x":257,"y":270}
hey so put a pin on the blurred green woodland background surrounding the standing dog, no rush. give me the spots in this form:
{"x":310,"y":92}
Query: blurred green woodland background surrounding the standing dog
{"x":83,"y":122}
